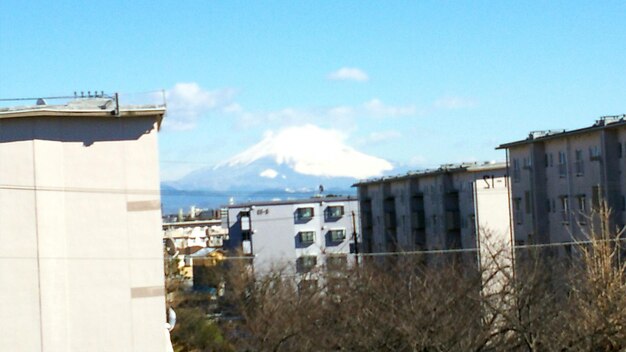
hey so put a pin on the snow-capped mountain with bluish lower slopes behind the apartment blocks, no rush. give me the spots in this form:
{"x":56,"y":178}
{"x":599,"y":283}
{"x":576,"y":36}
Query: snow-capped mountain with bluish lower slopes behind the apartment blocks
{"x":292,"y":163}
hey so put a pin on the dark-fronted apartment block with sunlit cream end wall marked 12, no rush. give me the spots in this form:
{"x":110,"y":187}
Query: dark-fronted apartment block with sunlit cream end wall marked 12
{"x":446,"y":208}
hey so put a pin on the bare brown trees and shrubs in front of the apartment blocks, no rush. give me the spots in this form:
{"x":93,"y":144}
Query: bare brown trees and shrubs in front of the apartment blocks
{"x":548,"y":302}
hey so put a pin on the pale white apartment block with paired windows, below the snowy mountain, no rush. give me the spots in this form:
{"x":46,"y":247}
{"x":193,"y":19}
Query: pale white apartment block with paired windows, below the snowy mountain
{"x":295,"y":234}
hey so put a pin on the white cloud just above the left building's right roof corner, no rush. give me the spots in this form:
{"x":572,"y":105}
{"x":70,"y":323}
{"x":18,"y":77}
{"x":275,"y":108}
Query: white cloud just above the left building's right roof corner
{"x":187,"y":102}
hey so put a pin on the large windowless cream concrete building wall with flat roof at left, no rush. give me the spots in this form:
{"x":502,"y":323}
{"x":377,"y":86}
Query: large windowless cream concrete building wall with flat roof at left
{"x":82,"y":265}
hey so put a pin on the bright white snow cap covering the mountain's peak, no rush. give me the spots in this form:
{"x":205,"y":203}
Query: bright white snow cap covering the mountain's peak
{"x":311,"y":150}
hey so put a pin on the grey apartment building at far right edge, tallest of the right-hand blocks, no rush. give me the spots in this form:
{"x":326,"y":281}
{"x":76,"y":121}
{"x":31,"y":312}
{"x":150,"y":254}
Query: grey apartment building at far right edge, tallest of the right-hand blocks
{"x":558,"y":177}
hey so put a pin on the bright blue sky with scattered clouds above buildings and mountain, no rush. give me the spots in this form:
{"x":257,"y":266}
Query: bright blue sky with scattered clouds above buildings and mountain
{"x":414,"y":83}
